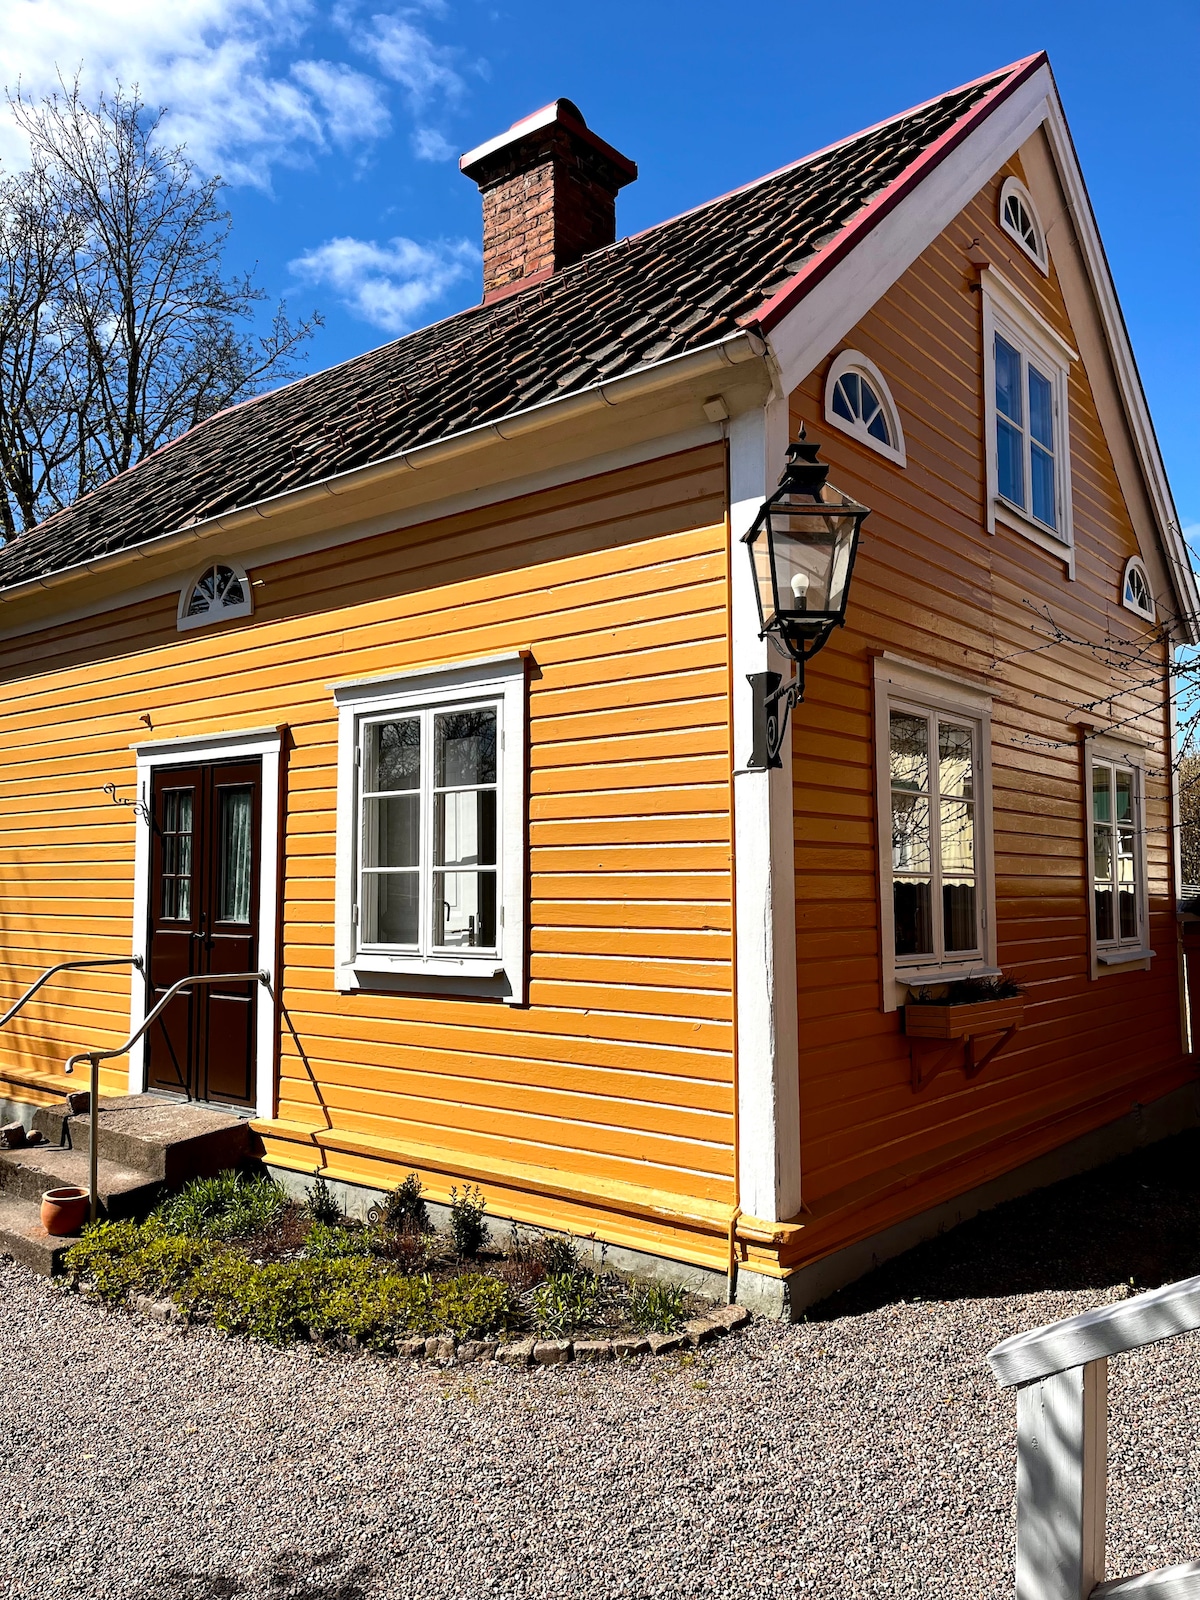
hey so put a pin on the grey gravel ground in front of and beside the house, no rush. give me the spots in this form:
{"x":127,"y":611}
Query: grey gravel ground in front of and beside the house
{"x":862,"y":1454}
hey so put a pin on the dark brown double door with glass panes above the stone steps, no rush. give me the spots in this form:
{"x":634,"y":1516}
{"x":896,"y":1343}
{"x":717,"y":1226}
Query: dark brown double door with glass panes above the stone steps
{"x":204,"y":921}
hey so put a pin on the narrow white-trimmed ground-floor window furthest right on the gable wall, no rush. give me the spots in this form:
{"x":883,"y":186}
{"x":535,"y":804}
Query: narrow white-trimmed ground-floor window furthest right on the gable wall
{"x":1118,"y":855}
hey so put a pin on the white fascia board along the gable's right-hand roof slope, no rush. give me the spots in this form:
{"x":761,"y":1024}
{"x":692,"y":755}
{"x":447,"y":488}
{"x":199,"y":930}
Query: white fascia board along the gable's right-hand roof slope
{"x":1126,"y":369}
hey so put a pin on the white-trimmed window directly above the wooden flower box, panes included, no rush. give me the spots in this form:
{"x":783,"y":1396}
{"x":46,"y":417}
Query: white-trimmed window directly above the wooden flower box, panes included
{"x":937,"y":886}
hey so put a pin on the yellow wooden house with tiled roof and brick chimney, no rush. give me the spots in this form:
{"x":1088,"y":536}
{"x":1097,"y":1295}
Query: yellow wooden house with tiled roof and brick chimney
{"x":436,"y":690}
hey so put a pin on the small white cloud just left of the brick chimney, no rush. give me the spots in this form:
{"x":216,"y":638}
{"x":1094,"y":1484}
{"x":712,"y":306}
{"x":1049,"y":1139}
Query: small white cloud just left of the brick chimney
{"x":388,"y":286}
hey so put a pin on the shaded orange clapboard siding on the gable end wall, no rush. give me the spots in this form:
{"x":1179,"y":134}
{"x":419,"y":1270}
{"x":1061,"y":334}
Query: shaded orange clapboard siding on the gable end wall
{"x":935,"y":588}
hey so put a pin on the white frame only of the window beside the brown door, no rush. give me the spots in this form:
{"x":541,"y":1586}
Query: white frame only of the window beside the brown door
{"x":498,"y":682}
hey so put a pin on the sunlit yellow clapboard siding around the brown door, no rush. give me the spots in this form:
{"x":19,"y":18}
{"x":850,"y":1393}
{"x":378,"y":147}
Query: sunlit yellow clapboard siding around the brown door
{"x":620,"y":1071}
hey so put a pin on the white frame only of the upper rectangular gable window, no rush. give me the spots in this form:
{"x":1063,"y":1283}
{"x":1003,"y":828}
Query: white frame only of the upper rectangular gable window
{"x":1007,"y":313}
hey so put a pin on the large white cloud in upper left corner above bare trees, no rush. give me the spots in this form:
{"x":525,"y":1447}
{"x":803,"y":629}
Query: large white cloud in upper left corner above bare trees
{"x":215,"y":63}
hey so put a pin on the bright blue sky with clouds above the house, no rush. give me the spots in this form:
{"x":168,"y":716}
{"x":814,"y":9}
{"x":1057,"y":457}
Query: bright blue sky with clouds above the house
{"x":340,"y":124}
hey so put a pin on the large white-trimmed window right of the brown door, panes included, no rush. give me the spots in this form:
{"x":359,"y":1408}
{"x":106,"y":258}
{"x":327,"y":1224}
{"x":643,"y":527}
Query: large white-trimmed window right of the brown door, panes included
{"x":431,"y":828}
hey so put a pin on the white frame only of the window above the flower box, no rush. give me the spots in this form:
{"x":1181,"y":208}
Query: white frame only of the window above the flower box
{"x":906,"y":686}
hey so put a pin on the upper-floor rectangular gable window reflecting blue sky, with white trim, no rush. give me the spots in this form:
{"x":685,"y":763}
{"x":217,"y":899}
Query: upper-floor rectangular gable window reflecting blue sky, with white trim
{"x":1026,"y":404}
